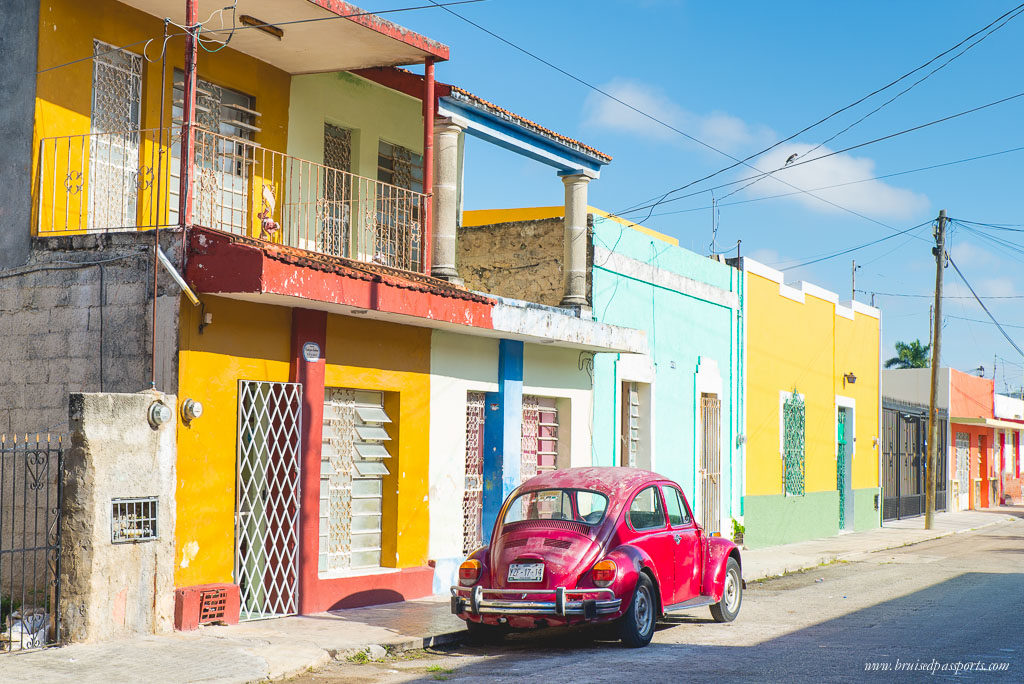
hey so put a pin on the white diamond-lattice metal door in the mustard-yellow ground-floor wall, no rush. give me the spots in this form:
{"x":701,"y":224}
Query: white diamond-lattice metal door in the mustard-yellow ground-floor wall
{"x":267,"y":528}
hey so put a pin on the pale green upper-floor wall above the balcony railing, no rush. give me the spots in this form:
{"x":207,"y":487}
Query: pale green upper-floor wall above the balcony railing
{"x":372,"y":112}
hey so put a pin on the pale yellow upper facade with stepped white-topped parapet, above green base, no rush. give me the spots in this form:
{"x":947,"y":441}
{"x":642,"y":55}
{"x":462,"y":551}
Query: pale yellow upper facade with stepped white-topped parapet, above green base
{"x":806,"y":348}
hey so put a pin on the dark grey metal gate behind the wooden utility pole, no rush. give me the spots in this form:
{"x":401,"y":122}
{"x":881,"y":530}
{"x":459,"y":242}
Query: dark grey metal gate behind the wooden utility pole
{"x":905,"y":453}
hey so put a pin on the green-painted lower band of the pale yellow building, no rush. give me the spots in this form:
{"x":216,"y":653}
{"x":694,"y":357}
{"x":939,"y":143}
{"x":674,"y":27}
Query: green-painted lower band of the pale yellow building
{"x":779,"y":520}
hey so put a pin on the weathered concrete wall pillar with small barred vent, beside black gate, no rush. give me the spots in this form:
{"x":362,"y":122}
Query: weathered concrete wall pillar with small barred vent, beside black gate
{"x":112,"y":591}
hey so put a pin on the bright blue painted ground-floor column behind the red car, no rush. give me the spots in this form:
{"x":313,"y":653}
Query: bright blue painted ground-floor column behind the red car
{"x":503,"y":434}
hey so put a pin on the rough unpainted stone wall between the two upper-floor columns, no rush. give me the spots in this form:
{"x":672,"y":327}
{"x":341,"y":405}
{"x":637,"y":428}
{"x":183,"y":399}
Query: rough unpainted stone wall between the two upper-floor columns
{"x":518,"y":260}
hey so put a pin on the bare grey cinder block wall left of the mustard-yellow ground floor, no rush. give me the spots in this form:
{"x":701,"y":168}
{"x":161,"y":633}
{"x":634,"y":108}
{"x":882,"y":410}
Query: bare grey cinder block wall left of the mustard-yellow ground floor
{"x":78,"y":318}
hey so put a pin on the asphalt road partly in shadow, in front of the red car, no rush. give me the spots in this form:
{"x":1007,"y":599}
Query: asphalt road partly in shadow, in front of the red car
{"x":956,"y":601}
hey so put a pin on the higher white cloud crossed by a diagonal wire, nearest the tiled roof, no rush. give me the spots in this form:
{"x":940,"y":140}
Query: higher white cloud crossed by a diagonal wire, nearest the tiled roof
{"x":716,"y":129}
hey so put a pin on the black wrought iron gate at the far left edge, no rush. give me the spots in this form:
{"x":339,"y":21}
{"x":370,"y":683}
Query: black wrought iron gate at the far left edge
{"x":30,"y":542}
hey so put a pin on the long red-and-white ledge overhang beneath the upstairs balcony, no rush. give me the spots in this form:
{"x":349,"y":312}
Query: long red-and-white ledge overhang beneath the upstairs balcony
{"x":244,"y":269}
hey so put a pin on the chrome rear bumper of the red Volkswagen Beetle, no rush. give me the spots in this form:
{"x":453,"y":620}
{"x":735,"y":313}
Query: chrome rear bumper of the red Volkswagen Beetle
{"x":587,"y":604}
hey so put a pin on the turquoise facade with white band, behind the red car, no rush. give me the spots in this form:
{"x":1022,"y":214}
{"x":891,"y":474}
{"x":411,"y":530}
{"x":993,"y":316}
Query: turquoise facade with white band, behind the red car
{"x":688,"y":306}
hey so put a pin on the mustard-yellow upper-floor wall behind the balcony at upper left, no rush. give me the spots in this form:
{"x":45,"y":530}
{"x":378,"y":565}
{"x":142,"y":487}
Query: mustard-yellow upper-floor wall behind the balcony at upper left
{"x":64,"y":97}
